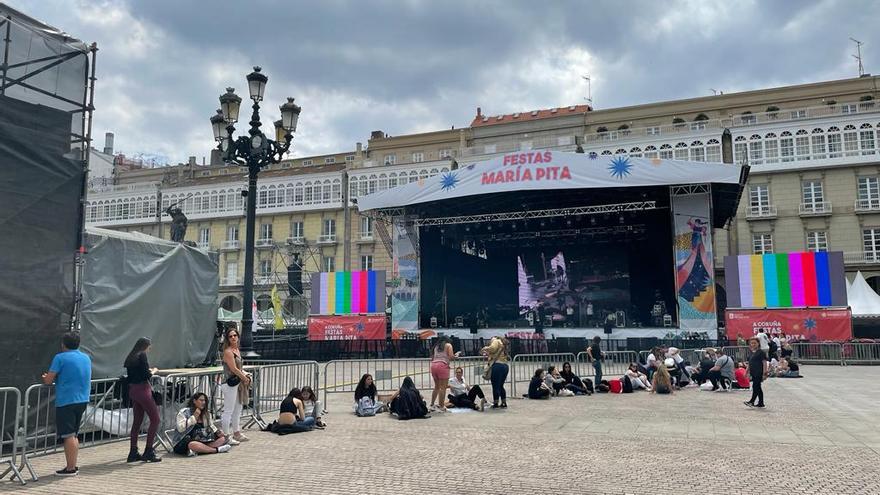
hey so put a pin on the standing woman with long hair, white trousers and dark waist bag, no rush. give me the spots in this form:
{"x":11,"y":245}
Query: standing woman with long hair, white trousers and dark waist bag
{"x":235,"y":387}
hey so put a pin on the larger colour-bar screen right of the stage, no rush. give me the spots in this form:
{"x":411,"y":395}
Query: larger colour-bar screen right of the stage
{"x":785,"y":280}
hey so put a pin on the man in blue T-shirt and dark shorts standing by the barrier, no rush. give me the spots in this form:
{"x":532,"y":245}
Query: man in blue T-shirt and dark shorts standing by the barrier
{"x":71,"y":371}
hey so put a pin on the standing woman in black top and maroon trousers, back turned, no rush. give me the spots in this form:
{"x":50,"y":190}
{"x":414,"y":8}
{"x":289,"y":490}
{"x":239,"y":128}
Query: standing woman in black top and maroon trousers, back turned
{"x":141,"y":395}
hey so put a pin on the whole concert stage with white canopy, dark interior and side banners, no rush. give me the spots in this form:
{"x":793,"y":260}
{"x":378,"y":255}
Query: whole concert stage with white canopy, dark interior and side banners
{"x":527,"y":241}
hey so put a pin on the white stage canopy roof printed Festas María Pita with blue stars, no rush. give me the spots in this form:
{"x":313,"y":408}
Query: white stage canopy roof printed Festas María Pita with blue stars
{"x":529,"y":177}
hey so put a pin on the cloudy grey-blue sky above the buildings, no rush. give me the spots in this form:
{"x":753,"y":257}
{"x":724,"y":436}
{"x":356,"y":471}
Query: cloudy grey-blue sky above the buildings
{"x":413,"y":65}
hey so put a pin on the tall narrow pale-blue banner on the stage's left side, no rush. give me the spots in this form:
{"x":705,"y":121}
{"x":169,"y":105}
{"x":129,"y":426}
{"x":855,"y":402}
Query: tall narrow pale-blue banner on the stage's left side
{"x":405,"y":277}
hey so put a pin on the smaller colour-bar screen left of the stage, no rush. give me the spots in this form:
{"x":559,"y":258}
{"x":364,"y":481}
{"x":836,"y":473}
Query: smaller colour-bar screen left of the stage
{"x":345,"y":293}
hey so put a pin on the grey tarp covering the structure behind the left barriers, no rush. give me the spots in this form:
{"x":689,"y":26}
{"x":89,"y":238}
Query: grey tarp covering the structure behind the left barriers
{"x":135,"y":285}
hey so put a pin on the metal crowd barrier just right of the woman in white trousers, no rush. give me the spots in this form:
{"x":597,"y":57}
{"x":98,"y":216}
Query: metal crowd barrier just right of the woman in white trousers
{"x":272,"y":383}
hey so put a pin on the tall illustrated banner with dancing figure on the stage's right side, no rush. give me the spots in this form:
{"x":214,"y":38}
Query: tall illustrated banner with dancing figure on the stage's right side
{"x":694,"y":264}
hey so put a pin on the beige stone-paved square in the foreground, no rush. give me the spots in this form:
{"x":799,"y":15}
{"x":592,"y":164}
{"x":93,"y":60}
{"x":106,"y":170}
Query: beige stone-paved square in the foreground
{"x":818,"y":435}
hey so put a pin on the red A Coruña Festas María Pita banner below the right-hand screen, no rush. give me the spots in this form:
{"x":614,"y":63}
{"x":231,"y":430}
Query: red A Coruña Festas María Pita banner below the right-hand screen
{"x":814,"y":325}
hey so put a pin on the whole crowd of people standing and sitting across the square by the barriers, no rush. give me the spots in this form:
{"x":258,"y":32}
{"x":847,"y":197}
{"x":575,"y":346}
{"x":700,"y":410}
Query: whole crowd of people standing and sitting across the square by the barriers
{"x":663,"y":372}
